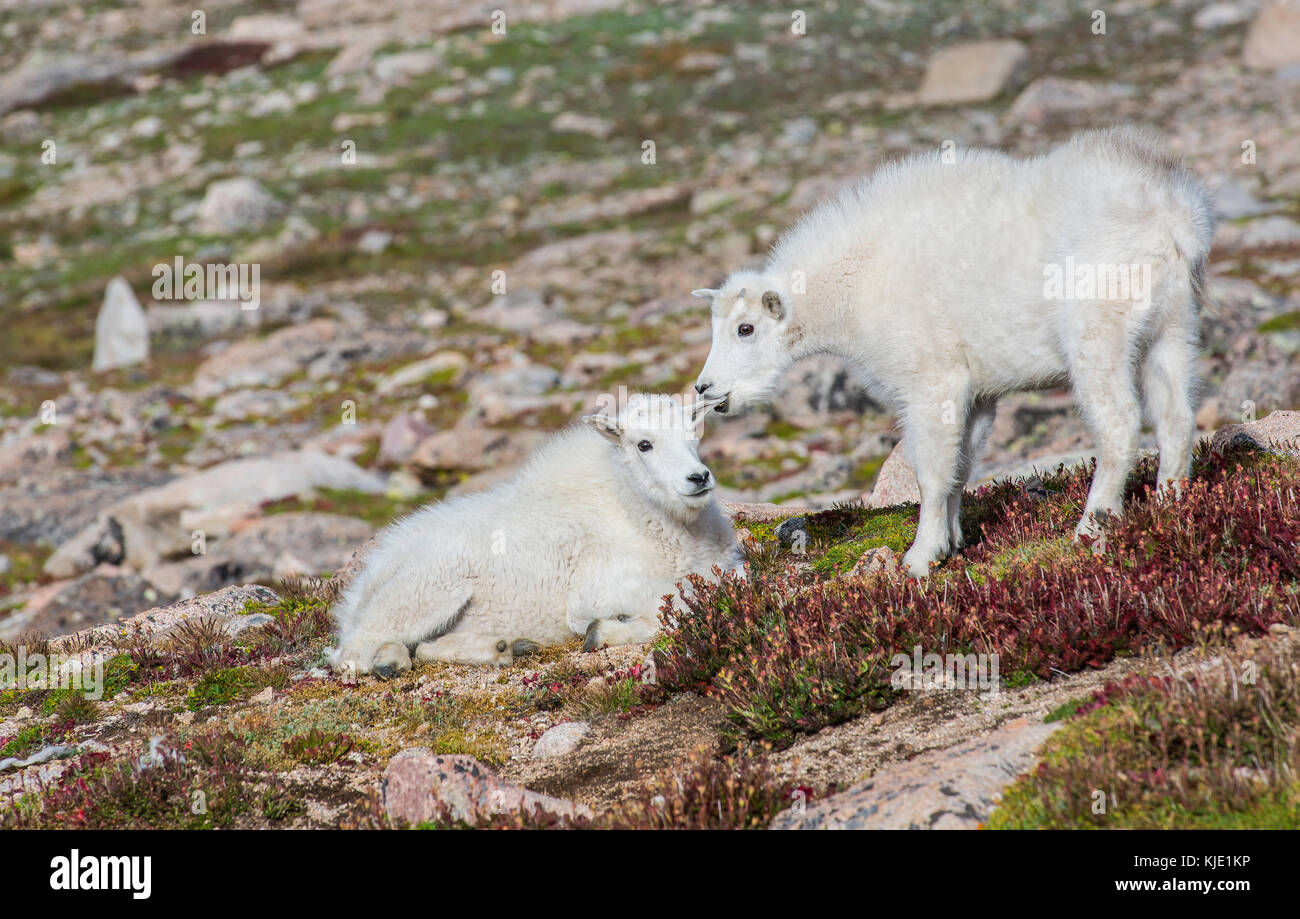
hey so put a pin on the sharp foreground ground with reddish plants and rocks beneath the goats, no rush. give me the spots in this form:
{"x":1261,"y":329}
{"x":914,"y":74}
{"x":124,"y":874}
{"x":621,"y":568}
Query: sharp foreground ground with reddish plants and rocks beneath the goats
{"x":224,"y":700}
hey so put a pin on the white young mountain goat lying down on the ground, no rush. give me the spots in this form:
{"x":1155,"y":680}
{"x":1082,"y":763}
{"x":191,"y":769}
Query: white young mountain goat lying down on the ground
{"x":603,"y":522}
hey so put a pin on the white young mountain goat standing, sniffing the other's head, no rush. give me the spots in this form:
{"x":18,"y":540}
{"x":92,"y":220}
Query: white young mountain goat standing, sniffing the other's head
{"x":947,"y":281}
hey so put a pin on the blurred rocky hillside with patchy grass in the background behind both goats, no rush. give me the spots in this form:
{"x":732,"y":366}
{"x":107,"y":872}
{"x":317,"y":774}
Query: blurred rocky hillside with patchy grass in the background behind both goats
{"x":466,"y":237}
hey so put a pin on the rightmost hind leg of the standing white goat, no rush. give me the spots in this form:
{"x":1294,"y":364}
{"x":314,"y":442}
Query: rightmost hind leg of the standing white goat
{"x":1169,"y":378}
